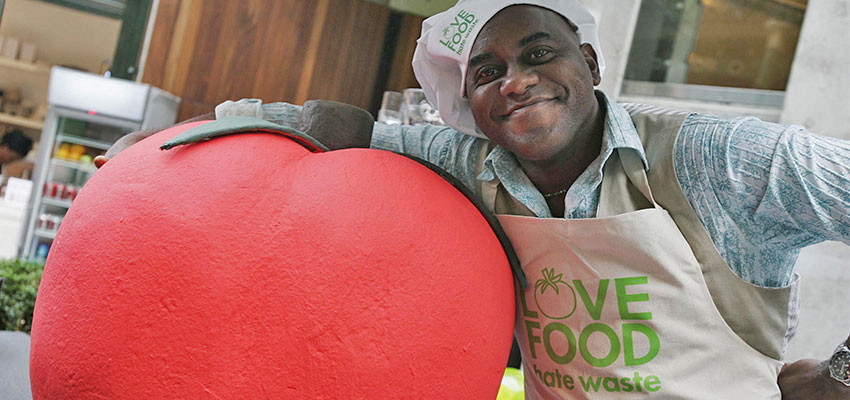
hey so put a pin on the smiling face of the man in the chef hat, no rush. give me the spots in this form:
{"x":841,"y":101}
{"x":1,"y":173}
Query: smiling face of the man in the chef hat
{"x":530,"y":82}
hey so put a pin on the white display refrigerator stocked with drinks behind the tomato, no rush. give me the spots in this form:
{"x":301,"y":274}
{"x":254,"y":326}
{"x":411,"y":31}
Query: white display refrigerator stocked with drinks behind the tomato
{"x":86,"y":114}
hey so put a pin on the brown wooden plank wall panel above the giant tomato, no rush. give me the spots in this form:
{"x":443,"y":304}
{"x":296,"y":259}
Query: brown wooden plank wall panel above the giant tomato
{"x":208,"y":51}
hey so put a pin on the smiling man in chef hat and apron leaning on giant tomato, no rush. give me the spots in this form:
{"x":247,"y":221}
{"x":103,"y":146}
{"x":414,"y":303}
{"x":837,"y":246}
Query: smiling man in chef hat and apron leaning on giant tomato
{"x":660,"y":245}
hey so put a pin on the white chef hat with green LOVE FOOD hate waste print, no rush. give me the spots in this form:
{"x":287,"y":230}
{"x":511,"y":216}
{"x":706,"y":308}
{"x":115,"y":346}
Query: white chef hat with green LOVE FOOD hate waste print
{"x":442,"y":51}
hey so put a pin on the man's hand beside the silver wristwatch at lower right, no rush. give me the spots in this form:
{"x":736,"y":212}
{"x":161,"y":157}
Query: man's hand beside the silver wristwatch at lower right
{"x":809,"y":379}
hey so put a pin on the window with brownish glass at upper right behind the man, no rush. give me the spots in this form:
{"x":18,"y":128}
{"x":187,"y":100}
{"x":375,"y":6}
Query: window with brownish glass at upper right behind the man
{"x":712,"y":49}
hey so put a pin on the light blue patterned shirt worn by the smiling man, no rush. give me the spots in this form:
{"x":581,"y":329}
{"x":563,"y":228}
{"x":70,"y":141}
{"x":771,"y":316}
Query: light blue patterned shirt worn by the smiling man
{"x":762,"y":190}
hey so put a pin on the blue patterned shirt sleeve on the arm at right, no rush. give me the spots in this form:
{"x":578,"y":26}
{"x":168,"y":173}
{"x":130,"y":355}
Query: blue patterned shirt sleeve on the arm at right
{"x":763,"y":191}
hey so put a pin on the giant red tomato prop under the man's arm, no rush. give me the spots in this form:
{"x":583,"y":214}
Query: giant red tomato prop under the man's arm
{"x":248,"y":267}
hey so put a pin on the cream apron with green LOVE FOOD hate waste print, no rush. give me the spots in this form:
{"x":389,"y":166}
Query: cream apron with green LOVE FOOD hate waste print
{"x":618,"y":307}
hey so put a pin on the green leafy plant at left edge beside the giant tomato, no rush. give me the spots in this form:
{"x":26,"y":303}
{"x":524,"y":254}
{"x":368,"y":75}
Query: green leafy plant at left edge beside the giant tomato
{"x":17,"y":294}
